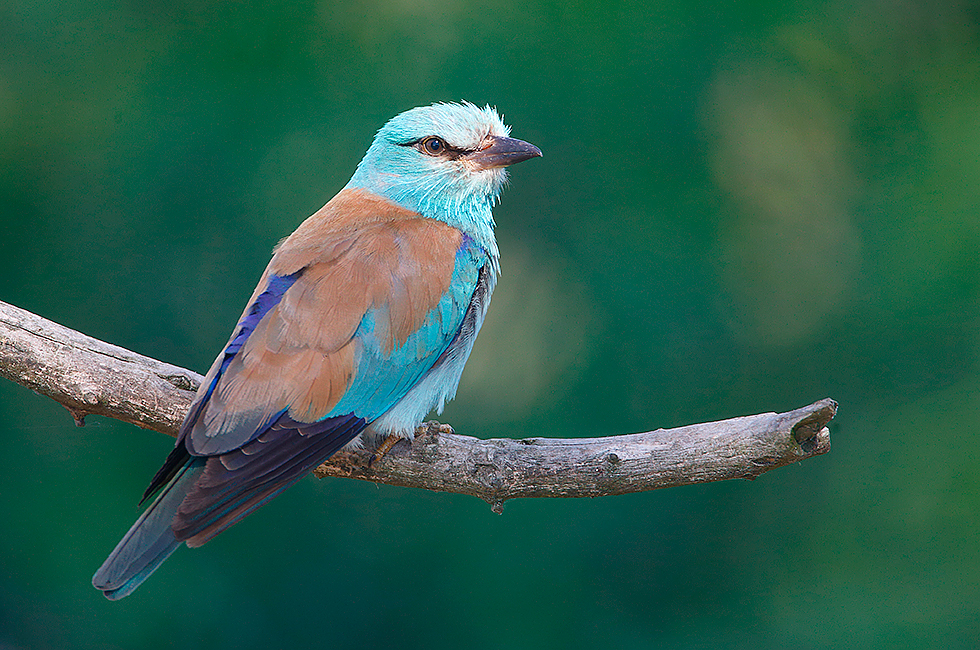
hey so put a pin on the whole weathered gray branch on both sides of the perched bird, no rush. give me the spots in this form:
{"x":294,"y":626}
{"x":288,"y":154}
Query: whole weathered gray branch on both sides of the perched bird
{"x":89,"y":376}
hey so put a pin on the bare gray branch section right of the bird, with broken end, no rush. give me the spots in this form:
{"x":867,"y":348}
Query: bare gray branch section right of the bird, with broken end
{"x":504,"y":468}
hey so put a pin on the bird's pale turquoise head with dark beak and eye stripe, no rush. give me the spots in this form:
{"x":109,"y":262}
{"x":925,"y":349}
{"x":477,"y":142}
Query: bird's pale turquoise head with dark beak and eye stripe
{"x":445,"y":161}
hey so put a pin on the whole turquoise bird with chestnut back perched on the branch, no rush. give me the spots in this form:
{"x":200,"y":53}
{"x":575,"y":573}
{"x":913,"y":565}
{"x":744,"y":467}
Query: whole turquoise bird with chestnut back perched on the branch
{"x":358,"y":328}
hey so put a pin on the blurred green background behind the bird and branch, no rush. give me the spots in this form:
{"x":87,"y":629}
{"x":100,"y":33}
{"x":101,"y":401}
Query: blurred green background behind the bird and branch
{"x":743,"y":207}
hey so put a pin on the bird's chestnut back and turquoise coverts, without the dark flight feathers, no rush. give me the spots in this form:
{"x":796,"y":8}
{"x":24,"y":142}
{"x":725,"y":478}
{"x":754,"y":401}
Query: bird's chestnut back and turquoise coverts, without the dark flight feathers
{"x":354,"y":307}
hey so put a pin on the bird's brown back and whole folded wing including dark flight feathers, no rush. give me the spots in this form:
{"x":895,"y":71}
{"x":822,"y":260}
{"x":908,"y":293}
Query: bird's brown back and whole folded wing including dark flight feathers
{"x":354,"y":309}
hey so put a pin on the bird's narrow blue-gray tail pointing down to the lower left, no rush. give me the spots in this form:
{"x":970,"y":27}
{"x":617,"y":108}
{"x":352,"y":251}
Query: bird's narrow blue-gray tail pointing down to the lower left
{"x":150,"y":541}
